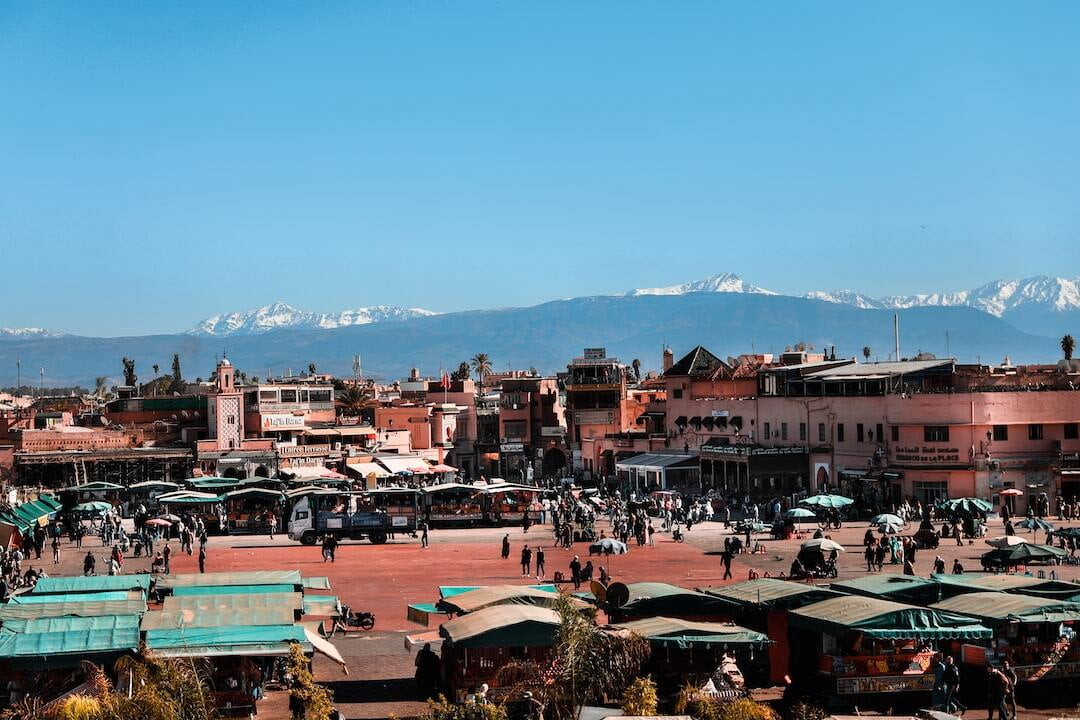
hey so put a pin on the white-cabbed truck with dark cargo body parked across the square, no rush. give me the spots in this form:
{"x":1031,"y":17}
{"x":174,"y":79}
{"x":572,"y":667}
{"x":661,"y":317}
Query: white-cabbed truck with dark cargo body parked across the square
{"x":350,"y":515}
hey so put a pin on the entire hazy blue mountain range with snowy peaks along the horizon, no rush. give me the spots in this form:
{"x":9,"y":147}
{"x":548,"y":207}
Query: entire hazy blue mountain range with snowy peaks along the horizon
{"x":1023,"y":320}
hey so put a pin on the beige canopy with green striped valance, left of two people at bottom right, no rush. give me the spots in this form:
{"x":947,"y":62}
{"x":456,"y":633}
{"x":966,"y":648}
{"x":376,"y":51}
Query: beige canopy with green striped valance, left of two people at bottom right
{"x":884,"y":620}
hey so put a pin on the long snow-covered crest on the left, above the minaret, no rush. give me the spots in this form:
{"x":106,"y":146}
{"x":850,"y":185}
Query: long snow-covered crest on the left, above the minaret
{"x":281,"y":316}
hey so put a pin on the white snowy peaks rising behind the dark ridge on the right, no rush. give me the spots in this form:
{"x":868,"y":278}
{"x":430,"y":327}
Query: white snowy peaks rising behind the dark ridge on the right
{"x":997,"y":298}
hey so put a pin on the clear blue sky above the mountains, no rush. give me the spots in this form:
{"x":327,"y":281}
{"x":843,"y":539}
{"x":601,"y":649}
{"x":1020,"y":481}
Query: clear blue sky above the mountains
{"x":161,"y":162}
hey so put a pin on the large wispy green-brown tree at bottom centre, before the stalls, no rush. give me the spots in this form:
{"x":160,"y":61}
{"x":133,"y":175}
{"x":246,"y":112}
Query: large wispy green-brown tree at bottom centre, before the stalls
{"x":586,"y":664}
